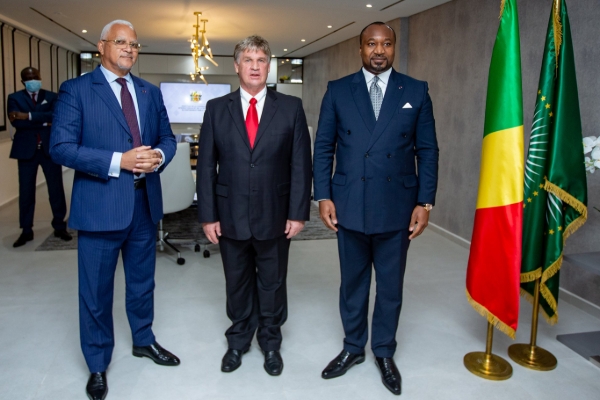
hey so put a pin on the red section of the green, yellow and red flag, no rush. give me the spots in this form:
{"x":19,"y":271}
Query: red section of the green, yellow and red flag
{"x":493,"y":273}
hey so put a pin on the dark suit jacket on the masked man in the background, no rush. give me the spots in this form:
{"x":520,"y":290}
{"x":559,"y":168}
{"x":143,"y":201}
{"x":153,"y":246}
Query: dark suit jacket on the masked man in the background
{"x":25,"y":140}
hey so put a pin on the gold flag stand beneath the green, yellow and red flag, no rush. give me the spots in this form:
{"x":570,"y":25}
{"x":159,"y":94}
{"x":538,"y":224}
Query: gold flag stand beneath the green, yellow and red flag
{"x":487,"y":365}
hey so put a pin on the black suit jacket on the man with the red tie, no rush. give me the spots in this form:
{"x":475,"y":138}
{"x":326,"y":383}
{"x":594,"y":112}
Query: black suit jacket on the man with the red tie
{"x":253,"y":192}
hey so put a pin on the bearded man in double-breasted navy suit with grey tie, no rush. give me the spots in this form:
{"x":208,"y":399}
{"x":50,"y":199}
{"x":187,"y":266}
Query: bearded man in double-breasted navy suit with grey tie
{"x":377,"y":123}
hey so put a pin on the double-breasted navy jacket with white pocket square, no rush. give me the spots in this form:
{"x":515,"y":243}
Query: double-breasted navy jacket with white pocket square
{"x":376,"y":186}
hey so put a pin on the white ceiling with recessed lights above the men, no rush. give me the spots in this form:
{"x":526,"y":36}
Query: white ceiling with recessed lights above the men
{"x":163,"y":26}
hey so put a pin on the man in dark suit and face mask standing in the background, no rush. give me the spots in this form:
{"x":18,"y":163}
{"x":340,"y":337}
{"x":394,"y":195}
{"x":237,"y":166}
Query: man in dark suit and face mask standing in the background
{"x":30,"y":112}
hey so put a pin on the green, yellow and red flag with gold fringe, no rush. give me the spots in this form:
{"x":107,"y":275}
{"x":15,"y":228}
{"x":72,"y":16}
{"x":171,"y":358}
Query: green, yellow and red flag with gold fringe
{"x":495,"y":258}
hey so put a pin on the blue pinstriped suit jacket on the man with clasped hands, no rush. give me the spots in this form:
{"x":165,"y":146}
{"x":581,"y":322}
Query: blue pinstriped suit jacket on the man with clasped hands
{"x":88,"y":127}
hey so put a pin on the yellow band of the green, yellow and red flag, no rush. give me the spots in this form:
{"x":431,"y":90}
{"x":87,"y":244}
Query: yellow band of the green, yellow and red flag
{"x":501,"y":179}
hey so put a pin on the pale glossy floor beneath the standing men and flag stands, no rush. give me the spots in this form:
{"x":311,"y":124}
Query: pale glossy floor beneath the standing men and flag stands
{"x":39,"y":339}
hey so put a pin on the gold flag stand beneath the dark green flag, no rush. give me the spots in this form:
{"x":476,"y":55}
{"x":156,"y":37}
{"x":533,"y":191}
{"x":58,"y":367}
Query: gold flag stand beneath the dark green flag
{"x":530,"y":355}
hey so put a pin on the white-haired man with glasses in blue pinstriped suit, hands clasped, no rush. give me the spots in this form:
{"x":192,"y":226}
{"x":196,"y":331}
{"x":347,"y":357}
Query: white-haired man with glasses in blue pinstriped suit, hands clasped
{"x":112,"y":129}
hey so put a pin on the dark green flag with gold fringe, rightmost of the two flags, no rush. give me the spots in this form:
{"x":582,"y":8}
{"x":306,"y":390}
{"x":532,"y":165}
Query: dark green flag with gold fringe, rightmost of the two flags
{"x":555,"y":183}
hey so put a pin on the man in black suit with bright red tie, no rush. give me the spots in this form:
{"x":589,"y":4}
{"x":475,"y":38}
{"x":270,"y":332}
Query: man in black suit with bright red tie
{"x":256,"y":201}
